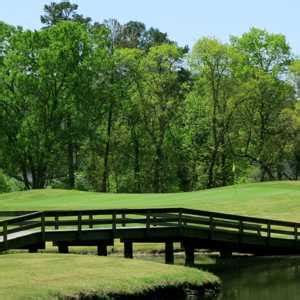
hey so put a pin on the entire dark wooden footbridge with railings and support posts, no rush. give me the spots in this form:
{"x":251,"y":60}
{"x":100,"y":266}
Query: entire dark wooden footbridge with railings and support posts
{"x":194,"y":229}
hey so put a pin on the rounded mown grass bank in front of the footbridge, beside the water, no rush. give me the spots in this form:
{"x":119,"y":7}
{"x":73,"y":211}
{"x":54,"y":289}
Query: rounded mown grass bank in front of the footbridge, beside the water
{"x":54,"y":276}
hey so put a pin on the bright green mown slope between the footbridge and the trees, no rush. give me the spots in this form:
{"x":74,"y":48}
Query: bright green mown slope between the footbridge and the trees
{"x":277,"y":200}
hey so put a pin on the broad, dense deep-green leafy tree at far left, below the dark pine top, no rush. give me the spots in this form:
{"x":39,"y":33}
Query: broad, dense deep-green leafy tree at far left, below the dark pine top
{"x":41,"y":116}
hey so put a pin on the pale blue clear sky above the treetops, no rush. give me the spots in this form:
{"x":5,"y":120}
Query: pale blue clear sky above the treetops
{"x":184,"y":20}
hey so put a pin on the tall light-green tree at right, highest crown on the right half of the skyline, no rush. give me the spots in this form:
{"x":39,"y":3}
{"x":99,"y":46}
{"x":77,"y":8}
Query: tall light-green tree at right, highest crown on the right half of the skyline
{"x":266,"y":59}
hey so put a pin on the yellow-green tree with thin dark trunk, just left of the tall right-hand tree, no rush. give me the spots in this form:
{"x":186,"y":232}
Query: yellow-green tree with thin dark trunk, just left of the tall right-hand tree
{"x":217,"y":86}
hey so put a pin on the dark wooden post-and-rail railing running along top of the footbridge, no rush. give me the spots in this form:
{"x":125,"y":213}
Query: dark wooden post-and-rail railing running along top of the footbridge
{"x":81,"y":220}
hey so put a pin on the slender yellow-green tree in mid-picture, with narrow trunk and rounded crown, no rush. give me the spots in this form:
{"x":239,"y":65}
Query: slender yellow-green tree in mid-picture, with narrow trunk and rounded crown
{"x":161,"y":94}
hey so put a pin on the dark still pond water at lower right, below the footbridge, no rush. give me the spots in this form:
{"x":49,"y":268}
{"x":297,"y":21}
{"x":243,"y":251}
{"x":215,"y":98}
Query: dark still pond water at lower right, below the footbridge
{"x":253,"y":278}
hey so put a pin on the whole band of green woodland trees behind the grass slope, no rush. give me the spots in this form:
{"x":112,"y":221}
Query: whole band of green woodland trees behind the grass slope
{"x":122,"y":108}
